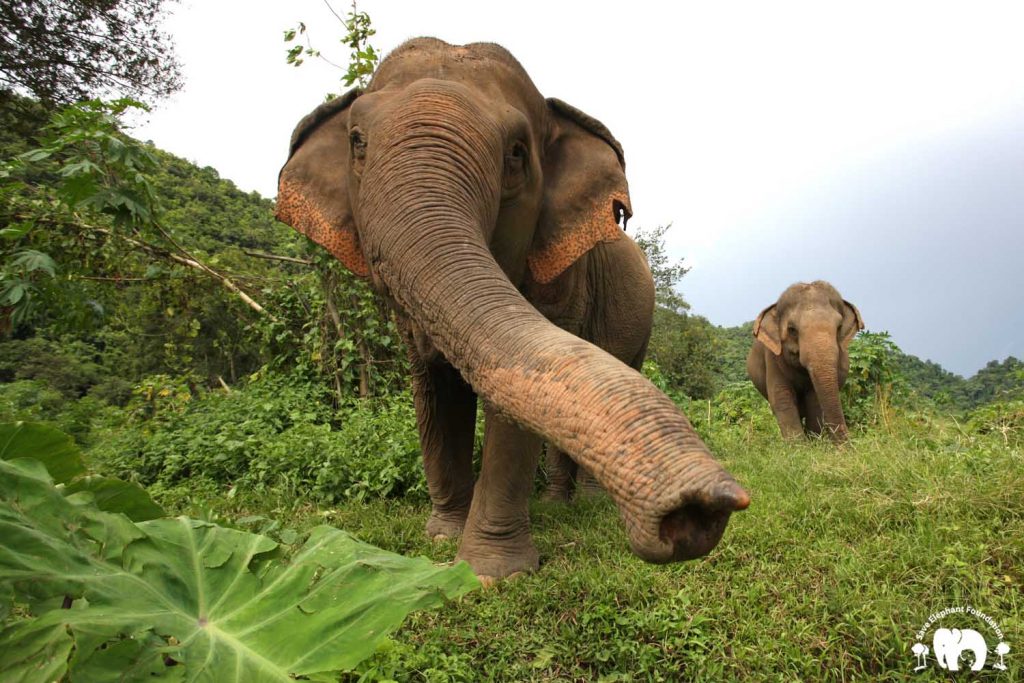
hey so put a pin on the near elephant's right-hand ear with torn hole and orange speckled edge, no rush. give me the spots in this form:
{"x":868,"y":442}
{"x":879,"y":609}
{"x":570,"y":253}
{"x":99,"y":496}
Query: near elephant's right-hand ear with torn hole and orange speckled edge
{"x":585,"y":192}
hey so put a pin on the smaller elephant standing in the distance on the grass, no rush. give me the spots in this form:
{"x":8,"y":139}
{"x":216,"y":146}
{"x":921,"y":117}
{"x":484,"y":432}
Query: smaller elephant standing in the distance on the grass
{"x":800,"y":358}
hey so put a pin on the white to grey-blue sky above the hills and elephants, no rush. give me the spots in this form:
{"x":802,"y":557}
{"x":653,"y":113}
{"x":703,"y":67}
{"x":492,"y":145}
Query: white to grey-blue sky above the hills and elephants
{"x":879,"y":146}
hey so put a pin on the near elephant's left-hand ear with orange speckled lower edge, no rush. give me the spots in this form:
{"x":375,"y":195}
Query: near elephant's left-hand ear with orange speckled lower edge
{"x":313,"y":188}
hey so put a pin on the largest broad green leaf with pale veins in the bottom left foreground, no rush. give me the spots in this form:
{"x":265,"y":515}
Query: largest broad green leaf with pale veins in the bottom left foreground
{"x":223,"y":604}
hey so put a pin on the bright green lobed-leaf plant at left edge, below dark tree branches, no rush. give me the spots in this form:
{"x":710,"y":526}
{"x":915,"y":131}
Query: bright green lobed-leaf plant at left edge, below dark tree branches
{"x":84,"y":175}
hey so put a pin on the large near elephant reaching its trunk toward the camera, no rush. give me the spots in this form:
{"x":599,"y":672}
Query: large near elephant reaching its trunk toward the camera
{"x":489,"y":218}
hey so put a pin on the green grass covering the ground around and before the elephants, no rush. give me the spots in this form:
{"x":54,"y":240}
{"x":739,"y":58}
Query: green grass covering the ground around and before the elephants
{"x":841,"y":559}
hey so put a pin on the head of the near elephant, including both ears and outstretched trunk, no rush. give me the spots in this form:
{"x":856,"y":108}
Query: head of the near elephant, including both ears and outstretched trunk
{"x":452,"y":184}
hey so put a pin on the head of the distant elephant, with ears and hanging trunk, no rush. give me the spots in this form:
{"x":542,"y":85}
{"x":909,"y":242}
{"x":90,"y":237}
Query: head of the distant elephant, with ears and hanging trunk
{"x":810,"y":328}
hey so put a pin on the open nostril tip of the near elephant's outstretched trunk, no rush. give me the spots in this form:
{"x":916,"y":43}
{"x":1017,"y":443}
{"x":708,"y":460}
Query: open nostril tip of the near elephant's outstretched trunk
{"x":693,"y":528}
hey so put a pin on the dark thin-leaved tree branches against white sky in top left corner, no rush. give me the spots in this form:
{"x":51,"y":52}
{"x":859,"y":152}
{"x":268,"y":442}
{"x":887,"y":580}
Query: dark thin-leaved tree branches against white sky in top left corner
{"x":66,"y":51}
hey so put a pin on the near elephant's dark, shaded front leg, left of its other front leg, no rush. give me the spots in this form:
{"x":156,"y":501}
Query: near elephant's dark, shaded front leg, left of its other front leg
{"x":446,"y":411}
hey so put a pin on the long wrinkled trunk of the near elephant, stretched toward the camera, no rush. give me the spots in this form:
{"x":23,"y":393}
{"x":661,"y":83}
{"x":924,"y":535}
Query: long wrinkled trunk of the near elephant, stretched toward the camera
{"x":431,"y":195}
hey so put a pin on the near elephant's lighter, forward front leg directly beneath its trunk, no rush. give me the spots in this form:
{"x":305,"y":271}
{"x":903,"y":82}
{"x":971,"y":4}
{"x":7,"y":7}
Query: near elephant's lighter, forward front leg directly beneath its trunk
{"x":497,"y":541}
